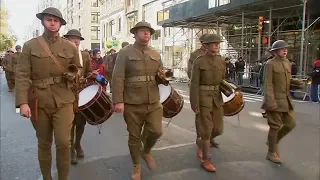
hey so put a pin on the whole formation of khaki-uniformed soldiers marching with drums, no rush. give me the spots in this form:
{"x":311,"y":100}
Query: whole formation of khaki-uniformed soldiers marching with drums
{"x":61,"y":88}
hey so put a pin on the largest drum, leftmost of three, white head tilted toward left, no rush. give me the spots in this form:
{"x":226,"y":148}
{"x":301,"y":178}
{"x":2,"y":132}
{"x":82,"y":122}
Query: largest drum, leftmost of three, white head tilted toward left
{"x":94,"y":104}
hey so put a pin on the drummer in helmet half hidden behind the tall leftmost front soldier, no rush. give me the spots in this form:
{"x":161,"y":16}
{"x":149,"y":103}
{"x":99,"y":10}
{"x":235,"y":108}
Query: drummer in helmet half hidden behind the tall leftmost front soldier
{"x":79,"y":121}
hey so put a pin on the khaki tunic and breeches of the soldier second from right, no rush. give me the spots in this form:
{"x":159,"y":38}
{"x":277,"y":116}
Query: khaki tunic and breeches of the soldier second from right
{"x":205,"y":94}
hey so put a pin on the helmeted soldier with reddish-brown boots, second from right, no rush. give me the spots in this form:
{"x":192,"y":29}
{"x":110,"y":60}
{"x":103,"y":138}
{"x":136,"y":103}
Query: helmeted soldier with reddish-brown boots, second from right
{"x":205,"y":95}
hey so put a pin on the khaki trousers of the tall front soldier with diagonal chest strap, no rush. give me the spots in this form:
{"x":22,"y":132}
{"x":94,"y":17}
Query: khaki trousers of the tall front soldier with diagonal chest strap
{"x":57,"y":122}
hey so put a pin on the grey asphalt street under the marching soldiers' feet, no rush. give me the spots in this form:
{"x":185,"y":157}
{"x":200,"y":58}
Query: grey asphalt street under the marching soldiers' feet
{"x":241,"y":155}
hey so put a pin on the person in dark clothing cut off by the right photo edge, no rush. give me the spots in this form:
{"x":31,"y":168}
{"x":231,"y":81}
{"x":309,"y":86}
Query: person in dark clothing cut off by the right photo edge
{"x":315,"y":74}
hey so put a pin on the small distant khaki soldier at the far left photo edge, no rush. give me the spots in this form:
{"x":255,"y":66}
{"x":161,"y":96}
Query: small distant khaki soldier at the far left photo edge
{"x":7,"y":67}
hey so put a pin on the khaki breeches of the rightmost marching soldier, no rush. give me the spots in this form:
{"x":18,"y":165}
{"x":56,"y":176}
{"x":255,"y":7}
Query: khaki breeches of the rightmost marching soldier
{"x":281,"y":123}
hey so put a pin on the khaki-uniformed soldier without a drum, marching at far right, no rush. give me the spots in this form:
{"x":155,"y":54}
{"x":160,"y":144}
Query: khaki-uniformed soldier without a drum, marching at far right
{"x":277,"y":99}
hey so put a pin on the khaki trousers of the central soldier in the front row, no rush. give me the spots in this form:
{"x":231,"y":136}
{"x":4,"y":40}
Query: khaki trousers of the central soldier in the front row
{"x":147,"y":116}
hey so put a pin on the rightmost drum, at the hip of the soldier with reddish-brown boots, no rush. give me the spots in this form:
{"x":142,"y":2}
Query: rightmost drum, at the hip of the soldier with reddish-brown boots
{"x":233,"y":104}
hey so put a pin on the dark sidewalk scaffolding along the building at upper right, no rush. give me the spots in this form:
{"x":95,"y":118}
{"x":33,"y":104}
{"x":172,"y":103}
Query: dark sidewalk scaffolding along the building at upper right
{"x":238,"y":27}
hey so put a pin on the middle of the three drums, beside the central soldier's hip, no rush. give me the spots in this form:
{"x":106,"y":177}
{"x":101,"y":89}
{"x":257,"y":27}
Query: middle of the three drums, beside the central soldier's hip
{"x":171,"y":101}
